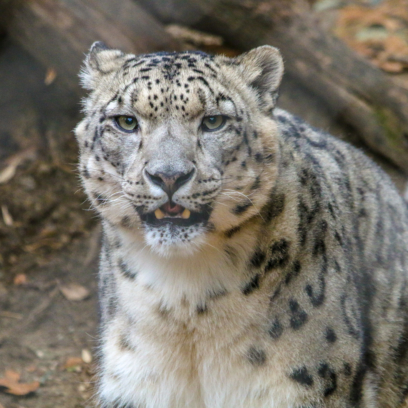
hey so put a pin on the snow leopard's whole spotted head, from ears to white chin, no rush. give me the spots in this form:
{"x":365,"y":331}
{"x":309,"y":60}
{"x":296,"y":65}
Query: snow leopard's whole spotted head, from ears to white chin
{"x":173,"y":145}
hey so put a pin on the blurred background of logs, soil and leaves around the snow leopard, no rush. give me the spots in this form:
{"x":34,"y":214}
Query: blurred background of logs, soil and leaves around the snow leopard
{"x":346,"y":72}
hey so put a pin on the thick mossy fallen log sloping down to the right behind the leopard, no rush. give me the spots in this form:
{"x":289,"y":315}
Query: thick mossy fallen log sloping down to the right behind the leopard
{"x":355,"y":91}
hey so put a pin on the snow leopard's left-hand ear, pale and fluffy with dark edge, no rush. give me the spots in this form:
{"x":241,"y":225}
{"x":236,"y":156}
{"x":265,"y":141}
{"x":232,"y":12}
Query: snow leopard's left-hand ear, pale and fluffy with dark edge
{"x":100,"y":61}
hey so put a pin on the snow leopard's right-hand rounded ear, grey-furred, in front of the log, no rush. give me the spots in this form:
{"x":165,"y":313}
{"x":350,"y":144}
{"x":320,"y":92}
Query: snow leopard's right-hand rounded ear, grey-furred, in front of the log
{"x":262,"y":68}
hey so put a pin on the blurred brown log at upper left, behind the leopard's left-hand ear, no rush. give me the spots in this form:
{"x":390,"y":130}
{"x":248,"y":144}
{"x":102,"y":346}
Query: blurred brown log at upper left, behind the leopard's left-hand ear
{"x":59,"y":32}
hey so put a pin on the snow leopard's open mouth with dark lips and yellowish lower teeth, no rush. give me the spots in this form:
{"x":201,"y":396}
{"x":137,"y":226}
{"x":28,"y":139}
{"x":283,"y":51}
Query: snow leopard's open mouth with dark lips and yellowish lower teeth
{"x":171,"y":213}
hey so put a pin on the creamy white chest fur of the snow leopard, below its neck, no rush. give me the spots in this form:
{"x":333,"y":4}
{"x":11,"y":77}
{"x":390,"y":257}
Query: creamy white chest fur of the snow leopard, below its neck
{"x":182,"y":337}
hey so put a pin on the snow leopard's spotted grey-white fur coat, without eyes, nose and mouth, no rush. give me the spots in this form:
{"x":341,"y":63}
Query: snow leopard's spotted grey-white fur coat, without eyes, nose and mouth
{"x":293,"y":293}
